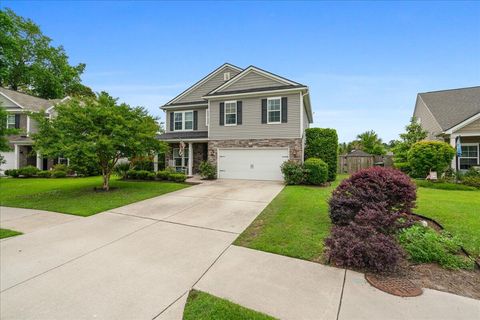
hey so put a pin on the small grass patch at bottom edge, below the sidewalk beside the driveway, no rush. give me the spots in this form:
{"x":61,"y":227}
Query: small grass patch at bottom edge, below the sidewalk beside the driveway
{"x":203,"y":306}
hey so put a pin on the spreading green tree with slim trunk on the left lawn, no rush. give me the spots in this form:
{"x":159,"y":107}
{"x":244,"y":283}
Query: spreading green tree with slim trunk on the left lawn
{"x":98,"y":129}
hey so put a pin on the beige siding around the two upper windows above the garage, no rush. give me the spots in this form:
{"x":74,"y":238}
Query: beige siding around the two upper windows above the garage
{"x":252,"y":126}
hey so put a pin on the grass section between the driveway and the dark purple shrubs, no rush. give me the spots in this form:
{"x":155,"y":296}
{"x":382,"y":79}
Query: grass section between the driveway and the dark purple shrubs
{"x":294,"y":224}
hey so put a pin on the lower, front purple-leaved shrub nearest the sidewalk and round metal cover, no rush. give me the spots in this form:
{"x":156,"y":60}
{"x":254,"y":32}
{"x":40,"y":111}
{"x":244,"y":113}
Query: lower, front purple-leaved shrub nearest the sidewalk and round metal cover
{"x":363,"y":247}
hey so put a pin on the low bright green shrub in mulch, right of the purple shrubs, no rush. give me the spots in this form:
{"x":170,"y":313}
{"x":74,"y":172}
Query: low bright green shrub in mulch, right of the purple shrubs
{"x":425,"y":245}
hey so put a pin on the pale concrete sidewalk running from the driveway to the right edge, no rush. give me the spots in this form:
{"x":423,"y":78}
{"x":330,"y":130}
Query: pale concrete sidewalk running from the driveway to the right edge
{"x":289,"y":288}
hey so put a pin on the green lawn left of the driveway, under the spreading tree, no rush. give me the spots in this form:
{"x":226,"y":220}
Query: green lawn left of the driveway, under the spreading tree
{"x":76,"y":195}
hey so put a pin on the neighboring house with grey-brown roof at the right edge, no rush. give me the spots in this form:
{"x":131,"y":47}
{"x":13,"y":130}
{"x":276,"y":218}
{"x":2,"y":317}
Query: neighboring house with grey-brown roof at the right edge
{"x":449,"y":114}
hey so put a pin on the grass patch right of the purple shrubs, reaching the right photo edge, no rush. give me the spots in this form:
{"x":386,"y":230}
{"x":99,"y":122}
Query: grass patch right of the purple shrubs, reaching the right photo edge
{"x":457,"y":211}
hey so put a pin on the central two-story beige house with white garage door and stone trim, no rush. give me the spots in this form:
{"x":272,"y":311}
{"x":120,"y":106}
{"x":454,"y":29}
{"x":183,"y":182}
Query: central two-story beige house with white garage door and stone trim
{"x":245,"y":121}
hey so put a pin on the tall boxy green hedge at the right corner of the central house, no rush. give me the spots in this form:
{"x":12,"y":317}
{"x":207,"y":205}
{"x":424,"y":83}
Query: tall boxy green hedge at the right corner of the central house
{"x":323,"y":144}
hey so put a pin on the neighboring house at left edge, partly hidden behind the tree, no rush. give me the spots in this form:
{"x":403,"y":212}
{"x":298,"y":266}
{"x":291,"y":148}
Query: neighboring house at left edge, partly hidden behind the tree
{"x":17,"y":106}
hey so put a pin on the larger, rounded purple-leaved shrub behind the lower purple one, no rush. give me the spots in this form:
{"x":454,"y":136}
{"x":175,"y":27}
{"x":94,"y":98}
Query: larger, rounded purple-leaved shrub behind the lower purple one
{"x":388,"y":187}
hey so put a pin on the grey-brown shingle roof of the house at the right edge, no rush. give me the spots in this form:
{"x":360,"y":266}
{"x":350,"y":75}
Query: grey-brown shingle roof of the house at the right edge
{"x":452,"y":107}
